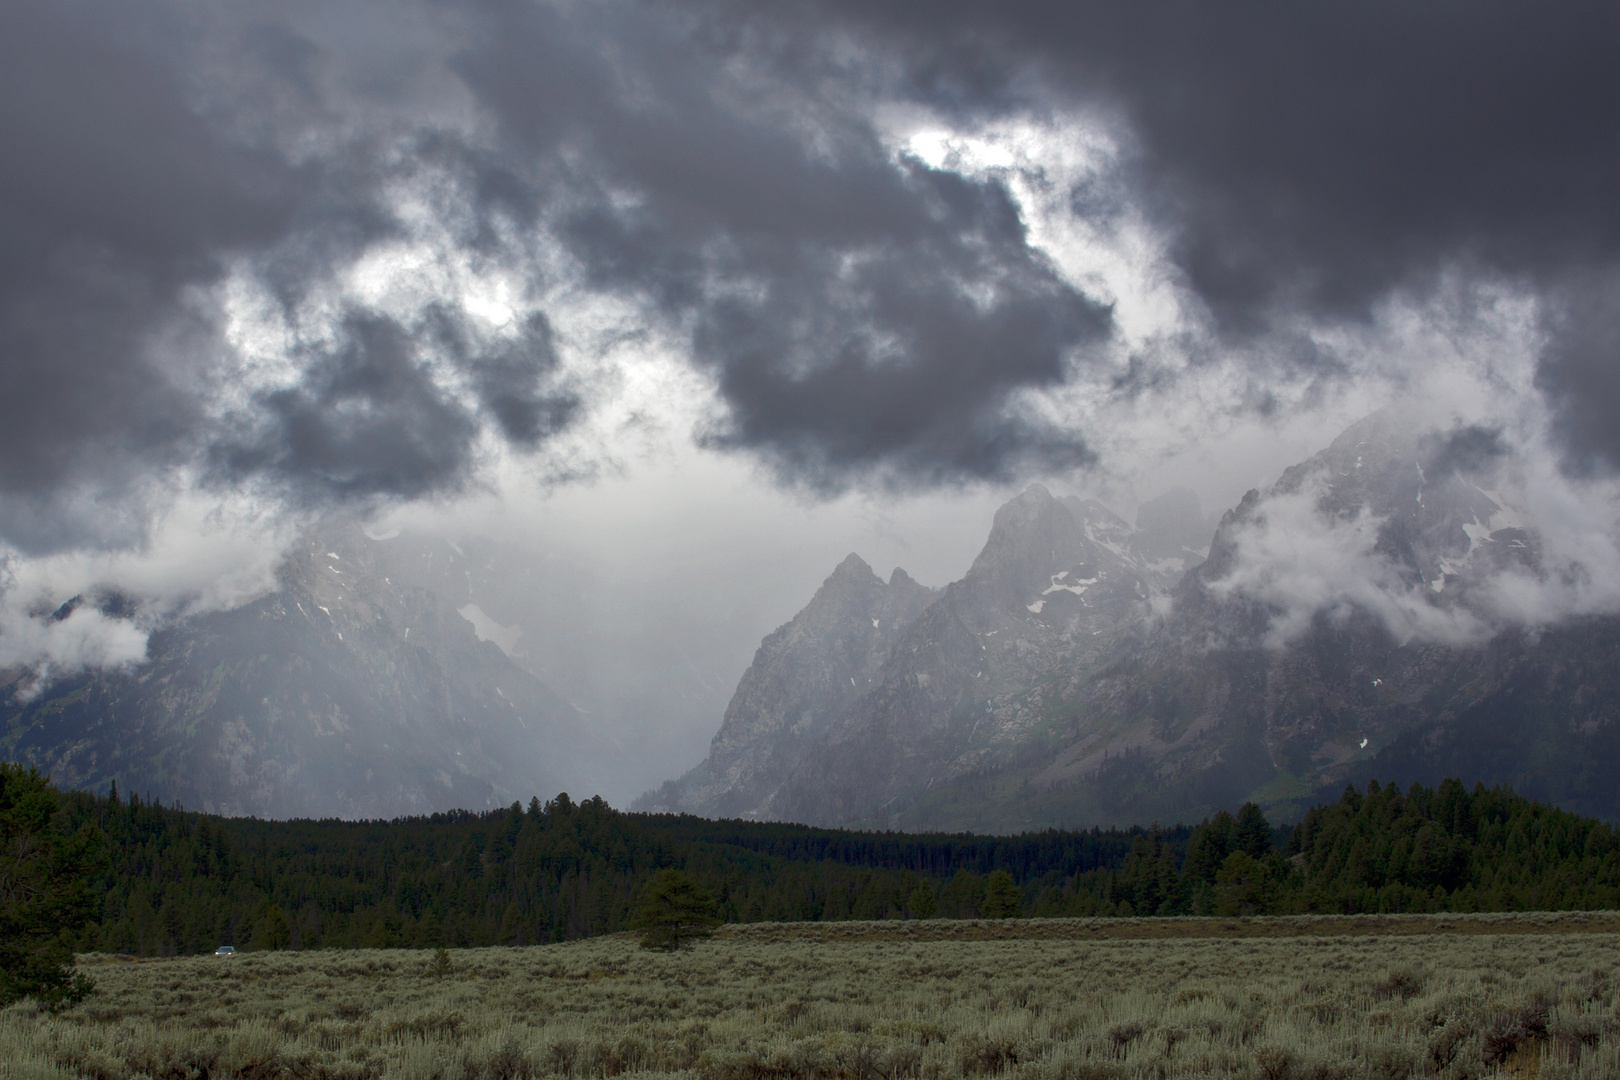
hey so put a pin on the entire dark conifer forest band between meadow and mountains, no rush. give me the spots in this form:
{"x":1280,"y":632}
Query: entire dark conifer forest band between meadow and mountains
{"x":182,"y":882}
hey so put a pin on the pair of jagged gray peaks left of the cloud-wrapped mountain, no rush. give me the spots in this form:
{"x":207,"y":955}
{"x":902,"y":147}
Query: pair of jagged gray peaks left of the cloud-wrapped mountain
{"x":1055,"y":579}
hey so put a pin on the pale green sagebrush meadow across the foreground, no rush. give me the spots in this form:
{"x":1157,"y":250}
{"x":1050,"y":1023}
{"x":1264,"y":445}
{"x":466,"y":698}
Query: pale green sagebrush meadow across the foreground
{"x":1064,"y":1000}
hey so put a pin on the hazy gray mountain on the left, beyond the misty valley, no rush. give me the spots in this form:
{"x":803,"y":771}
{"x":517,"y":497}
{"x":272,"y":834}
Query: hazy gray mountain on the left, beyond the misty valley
{"x":341,"y":694}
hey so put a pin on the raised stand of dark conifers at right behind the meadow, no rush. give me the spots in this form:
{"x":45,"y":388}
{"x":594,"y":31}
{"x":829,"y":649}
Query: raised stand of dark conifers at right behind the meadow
{"x":1371,"y":853}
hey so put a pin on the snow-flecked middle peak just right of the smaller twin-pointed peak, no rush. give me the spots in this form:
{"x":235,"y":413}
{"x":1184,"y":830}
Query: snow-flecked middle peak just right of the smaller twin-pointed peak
{"x":1046,"y":598}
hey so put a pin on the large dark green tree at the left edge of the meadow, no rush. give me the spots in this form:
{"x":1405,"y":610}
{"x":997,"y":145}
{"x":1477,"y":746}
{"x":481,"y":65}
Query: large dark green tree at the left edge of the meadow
{"x":45,"y":891}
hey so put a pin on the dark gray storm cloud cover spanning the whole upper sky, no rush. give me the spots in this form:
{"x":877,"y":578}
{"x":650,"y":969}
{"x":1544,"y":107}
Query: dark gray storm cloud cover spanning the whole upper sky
{"x":861,"y":315}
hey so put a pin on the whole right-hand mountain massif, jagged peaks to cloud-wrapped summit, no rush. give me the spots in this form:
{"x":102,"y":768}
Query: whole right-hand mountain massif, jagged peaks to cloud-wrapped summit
{"x":1089,"y":673}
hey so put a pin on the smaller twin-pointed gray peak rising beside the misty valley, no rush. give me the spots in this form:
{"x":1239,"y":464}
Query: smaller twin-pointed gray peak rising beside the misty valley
{"x":804,"y":674}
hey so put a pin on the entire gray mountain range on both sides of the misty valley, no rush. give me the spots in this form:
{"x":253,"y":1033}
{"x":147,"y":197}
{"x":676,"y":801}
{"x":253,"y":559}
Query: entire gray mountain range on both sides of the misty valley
{"x":1347,"y":623}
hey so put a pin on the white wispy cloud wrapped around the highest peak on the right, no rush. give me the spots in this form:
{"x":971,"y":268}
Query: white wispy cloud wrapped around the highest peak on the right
{"x":1506,"y":540}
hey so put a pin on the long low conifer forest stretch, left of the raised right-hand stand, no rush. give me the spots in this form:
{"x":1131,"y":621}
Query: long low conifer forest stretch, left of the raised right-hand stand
{"x":185,"y":882}
